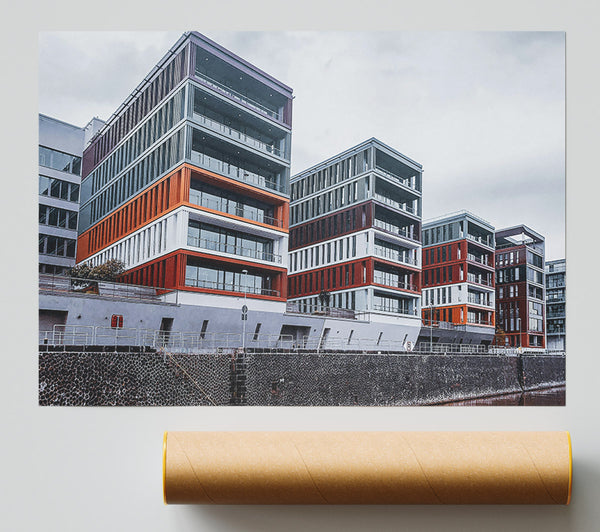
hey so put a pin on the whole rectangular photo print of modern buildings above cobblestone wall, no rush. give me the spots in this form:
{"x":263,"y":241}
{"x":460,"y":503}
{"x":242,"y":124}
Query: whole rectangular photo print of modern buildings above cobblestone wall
{"x":388,"y":229}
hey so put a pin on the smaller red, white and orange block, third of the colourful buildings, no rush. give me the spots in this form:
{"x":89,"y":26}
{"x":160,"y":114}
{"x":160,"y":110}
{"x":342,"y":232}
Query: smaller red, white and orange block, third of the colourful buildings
{"x":459,"y":277}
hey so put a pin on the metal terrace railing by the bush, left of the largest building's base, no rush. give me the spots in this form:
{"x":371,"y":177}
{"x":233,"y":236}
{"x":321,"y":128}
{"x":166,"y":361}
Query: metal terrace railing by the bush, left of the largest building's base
{"x":61,"y":284}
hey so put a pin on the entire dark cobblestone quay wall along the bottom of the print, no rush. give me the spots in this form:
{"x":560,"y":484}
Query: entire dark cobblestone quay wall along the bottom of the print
{"x":325,"y":379}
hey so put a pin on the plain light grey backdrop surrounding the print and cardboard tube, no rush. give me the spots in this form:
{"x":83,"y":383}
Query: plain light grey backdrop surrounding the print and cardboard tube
{"x":98,"y":469}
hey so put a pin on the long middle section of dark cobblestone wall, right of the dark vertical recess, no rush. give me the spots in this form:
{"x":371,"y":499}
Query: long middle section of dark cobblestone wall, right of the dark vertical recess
{"x":330,"y":379}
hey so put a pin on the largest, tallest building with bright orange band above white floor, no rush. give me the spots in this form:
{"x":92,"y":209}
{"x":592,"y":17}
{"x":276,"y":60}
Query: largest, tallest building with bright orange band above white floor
{"x":187,"y":183}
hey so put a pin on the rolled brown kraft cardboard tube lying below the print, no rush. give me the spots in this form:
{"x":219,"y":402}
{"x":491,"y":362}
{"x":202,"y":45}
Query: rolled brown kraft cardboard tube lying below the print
{"x":367,"y":467}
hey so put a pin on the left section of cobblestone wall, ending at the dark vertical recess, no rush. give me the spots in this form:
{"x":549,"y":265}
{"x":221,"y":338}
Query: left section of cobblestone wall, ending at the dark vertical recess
{"x":133,"y":379}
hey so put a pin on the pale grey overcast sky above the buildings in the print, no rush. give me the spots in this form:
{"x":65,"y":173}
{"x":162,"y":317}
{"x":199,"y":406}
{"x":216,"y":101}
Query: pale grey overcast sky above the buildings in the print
{"x":484,"y":113}
